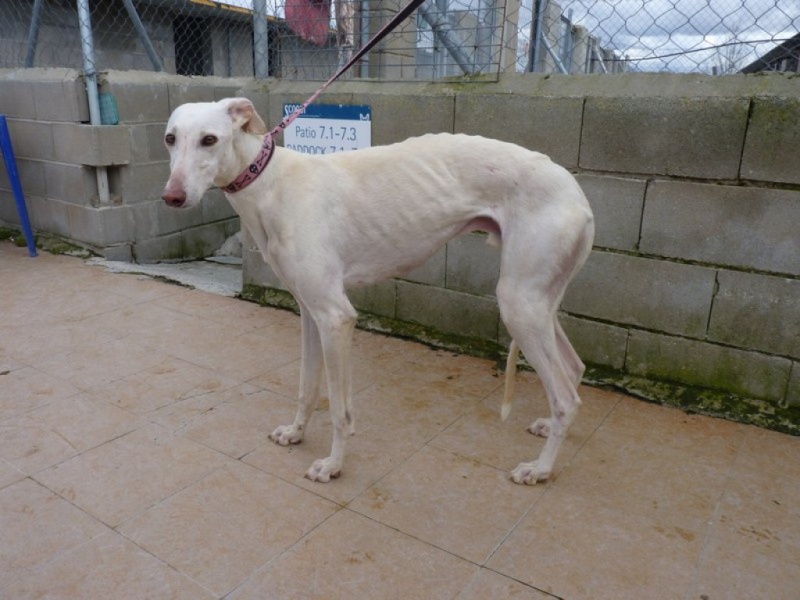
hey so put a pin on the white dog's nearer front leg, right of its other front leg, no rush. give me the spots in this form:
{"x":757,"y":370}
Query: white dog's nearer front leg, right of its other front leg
{"x":336,"y":334}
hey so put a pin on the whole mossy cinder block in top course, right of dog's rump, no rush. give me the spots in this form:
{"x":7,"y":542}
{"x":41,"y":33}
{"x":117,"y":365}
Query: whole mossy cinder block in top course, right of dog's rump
{"x":689,"y":136}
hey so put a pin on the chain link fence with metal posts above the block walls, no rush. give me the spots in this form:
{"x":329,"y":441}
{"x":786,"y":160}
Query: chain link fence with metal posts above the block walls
{"x":308,"y":39}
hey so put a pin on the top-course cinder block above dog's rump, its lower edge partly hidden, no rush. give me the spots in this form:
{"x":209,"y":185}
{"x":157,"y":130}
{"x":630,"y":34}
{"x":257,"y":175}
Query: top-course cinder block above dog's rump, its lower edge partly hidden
{"x":551,"y":126}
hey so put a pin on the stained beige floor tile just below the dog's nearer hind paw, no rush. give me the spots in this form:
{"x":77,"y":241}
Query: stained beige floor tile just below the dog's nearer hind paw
{"x":575,"y":548}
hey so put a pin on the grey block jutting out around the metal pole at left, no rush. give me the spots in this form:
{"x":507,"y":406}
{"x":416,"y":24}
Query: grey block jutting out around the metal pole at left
{"x":101,"y":145}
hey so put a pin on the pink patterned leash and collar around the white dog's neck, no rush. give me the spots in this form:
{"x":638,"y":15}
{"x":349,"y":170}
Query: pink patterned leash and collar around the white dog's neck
{"x":261,"y":161}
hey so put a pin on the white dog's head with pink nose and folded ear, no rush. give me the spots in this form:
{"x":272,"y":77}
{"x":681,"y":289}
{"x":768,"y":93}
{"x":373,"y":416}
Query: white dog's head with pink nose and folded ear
{"x":201,"y":140}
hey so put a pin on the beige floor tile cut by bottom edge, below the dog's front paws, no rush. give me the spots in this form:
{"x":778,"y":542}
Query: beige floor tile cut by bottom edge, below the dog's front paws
{"x":354,"y":557}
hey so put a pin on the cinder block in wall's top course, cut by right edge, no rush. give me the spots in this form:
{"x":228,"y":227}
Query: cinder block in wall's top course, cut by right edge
{"x":770,"y":148}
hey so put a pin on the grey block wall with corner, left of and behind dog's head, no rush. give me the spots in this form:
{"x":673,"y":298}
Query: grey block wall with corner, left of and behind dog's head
{"x":57,"y":152}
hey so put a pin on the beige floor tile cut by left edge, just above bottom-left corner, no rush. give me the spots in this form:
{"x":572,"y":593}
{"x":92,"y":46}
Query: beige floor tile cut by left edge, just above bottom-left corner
{"x":37,"y":526}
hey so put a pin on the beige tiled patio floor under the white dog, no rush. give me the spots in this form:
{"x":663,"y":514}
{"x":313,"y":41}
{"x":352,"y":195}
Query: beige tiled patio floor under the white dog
{"x":134,"y":463}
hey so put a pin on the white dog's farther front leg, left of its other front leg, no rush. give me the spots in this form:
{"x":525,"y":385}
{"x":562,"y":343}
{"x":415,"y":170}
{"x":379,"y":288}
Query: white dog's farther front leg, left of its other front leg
{"x":310,"y":375}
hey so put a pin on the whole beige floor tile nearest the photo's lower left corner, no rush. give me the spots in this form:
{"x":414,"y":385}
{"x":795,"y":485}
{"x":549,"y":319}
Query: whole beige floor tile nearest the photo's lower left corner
{"x":130,"y":474}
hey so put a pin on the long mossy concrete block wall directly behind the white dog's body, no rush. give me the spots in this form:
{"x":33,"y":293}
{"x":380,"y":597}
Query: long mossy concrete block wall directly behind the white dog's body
{"x":692,"y":293}
